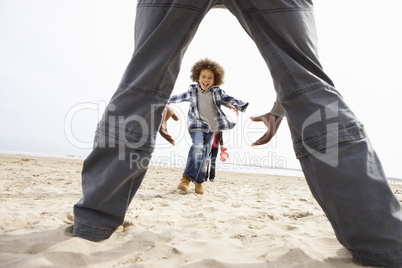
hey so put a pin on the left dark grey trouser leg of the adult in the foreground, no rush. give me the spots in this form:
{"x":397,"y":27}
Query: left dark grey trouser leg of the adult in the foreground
{"x":125,"y":136}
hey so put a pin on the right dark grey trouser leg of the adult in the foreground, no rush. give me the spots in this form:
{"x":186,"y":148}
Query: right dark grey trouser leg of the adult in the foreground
{"x":339,"y":163}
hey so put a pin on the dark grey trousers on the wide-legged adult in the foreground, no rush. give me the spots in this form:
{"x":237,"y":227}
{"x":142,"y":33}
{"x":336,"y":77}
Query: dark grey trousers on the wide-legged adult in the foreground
{"x":339,"y":163}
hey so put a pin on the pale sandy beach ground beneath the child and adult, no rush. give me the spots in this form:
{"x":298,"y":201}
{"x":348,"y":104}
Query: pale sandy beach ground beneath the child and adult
{"x":242,"y":220}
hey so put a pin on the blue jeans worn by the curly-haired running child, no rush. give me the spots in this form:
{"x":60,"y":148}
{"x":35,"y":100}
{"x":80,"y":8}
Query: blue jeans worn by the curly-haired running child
{"x":197,"y":160}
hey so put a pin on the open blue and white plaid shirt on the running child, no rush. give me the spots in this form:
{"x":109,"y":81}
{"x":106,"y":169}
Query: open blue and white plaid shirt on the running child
{"x":219,"y":96}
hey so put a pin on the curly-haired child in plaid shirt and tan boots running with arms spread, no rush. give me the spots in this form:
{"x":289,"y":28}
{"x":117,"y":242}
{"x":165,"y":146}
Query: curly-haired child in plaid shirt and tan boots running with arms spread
{"x":205,"y":117}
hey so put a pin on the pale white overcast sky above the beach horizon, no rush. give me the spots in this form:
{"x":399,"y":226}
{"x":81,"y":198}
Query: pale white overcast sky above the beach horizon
{"x":61,"y":61}
